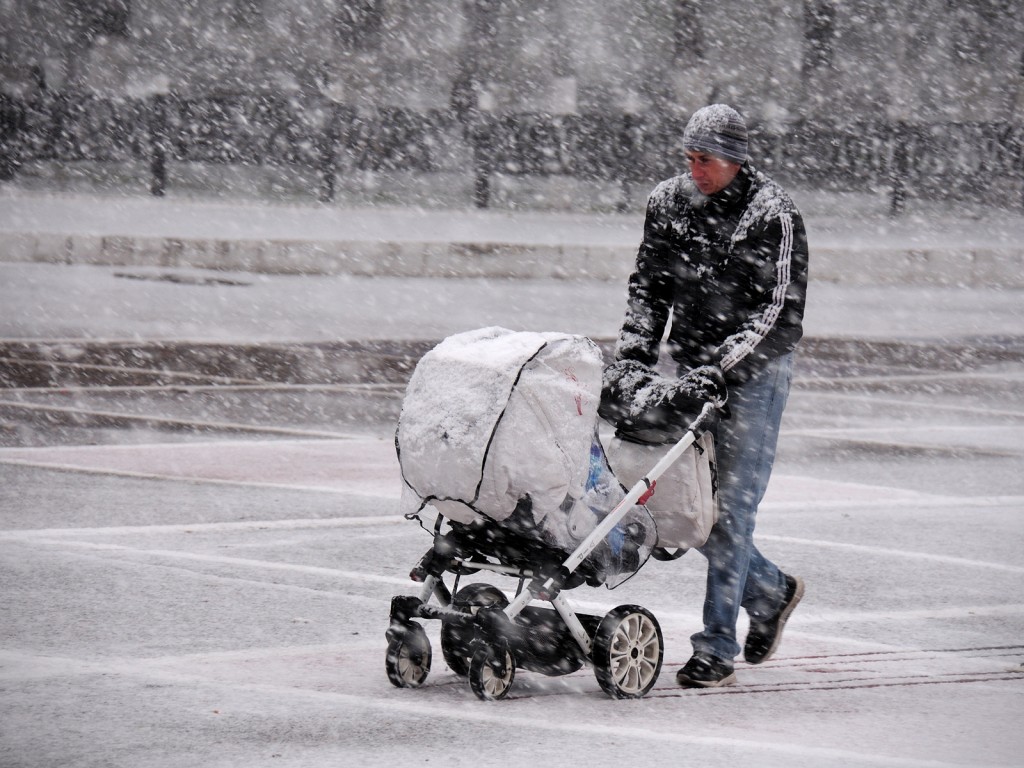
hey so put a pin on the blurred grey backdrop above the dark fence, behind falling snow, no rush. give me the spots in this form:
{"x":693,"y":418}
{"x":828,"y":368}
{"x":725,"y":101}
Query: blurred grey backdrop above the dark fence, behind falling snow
{"x":780,"y":62}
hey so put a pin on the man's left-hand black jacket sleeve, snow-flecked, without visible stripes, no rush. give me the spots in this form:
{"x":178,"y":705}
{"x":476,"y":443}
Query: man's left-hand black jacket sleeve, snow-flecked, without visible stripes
{"x":650,"y":290}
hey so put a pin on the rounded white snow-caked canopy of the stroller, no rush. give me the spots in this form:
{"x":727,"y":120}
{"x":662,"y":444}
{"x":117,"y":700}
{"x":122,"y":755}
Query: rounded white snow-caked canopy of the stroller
{"x":492,"y":416}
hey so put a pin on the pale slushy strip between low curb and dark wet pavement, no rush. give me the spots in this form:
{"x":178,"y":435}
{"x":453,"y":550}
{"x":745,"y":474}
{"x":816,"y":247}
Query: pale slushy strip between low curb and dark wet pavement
{"x":61,"y":302}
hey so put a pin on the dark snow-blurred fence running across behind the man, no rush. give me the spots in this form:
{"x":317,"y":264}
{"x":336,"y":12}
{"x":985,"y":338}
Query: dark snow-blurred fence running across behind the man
{"x":332,"y":140}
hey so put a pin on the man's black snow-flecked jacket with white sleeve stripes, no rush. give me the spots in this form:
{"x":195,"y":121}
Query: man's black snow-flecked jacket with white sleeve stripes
{"x":731,"y":269}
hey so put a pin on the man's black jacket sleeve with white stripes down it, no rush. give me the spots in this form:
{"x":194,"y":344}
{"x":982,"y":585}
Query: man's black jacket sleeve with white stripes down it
{"x":776,"y":322}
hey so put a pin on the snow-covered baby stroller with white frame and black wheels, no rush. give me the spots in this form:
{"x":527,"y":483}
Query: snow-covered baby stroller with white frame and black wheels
{"x":498,"y":441}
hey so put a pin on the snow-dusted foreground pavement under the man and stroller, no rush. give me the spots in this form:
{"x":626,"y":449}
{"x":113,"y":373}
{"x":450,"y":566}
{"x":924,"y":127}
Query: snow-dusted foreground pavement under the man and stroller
{"x":224,"y":604}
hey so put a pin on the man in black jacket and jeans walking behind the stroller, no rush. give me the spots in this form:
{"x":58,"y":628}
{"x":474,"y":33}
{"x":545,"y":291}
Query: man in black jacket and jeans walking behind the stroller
{"x":724,"y":261}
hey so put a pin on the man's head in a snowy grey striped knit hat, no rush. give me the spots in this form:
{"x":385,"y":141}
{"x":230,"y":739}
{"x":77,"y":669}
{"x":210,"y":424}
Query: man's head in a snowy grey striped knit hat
{"x":715,"y":142}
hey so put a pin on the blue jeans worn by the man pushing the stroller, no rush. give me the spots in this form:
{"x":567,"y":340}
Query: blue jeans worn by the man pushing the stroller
{"x":738,"y":574}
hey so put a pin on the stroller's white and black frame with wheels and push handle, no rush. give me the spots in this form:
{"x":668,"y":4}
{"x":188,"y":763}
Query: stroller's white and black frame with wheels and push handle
{"x":486,"y":637}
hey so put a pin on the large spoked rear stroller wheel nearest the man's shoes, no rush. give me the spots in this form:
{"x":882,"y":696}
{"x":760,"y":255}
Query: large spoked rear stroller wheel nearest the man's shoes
{"x":628,"y":651}
